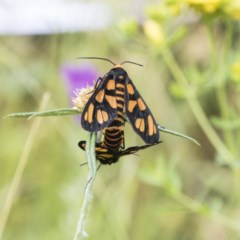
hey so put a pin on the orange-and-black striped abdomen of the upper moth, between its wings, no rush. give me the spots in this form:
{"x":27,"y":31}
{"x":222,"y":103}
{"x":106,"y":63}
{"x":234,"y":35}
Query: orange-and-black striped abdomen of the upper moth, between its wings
{"x":114,"y":134}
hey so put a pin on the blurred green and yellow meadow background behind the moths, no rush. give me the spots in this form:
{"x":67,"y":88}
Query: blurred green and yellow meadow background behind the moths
{"x":190,"y":81}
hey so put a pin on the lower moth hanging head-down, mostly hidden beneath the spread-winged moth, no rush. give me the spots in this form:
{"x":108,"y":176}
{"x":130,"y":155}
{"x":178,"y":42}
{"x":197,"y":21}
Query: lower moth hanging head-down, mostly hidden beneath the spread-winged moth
{"x":109,"y":156}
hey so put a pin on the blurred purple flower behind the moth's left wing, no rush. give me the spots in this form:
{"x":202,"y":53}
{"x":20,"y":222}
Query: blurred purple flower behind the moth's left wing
{"x":78,"y":76}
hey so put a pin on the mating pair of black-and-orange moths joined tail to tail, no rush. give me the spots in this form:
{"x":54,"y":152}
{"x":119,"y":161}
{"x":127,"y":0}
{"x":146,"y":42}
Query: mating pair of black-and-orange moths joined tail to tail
{"x":115,"y":97}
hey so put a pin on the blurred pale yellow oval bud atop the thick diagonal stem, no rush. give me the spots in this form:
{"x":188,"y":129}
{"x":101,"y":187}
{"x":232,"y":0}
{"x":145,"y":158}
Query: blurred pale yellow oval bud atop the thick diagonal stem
{"x":154,"y":32}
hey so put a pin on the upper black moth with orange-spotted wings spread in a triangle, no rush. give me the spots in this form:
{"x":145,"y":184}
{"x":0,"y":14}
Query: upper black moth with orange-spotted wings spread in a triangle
{"x":114,"y":96}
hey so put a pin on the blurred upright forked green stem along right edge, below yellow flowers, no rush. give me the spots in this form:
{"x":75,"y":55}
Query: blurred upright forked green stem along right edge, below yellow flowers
{"x":222,"y":54}
